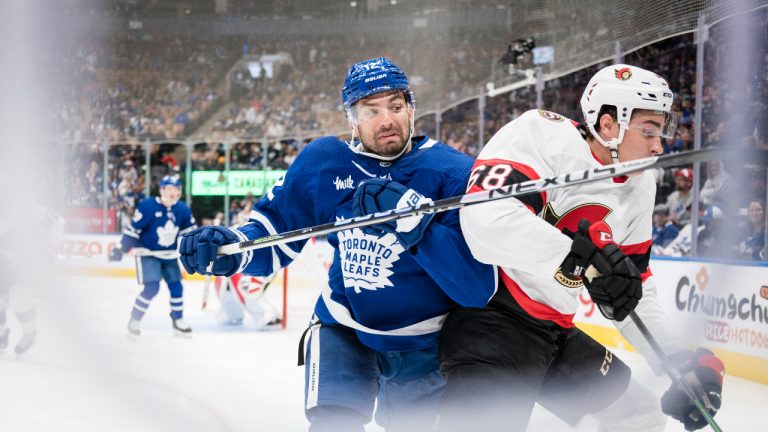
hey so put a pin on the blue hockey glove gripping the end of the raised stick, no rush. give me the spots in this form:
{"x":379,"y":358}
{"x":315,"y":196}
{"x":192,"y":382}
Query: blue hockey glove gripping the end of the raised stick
{"x":198,"y":249}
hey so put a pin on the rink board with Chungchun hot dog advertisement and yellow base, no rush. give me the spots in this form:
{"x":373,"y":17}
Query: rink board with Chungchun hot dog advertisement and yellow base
{"x":721,"y":306}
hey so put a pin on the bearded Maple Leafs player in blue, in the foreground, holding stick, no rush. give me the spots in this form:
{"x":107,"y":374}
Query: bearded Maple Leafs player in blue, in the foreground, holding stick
{"x":373,"y":337}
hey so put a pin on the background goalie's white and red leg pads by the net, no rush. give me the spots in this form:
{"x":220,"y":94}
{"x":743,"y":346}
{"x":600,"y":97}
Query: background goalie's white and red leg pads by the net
{"x":243,"y":301}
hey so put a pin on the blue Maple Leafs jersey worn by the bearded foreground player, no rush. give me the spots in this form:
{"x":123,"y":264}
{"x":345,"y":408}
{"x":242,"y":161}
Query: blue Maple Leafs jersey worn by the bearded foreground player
{"x":395,"y":299}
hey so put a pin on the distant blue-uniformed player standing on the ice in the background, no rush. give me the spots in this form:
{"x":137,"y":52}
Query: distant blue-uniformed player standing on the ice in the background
{"x":156,"y":225}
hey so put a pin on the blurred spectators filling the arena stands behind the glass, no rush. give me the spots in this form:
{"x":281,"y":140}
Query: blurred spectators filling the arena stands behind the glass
{"x":133,"y":89}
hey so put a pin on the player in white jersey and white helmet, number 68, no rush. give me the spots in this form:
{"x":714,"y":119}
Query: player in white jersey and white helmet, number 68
{"x":523,"y":347}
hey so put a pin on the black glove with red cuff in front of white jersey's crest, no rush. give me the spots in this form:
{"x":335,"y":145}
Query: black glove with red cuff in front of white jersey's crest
{"x":612,"y":279}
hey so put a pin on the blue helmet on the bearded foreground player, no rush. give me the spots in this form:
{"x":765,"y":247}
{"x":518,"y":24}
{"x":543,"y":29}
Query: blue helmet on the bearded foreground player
{"x":374,"y":76}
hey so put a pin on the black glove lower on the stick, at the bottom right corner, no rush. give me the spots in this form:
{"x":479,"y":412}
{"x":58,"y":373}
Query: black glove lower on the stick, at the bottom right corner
{"x":703,"y":371}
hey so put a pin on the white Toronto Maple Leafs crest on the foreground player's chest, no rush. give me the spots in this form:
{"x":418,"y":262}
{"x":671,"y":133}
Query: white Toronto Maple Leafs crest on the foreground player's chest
{"x":367,"y":259}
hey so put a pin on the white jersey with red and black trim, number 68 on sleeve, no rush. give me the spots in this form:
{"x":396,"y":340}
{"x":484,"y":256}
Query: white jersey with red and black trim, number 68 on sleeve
{"x":526,"y":236}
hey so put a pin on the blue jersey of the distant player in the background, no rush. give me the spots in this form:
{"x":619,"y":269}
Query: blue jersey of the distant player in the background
{"x":157,"y":227}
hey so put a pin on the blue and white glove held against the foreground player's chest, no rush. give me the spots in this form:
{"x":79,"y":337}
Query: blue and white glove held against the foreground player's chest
{"x":378,"y":195}
